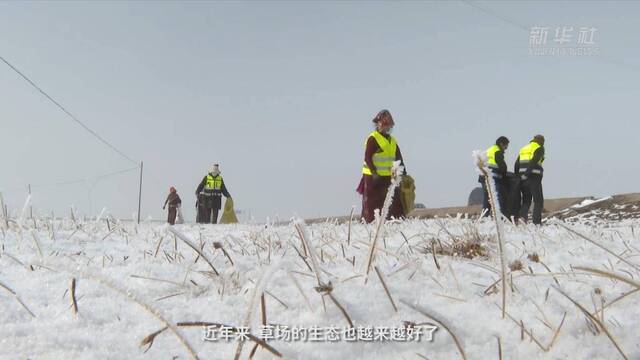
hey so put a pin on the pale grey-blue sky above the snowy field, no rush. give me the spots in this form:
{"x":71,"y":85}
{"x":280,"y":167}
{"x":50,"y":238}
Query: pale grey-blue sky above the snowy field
{"x":281,"y":94}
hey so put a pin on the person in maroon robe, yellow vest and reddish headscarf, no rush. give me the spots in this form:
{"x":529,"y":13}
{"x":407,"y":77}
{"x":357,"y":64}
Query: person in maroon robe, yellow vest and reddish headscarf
{"x":381,"y":150}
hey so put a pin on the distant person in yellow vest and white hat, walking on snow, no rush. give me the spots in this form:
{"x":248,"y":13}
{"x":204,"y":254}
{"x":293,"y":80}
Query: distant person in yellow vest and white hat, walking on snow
{"x":210,"y":192}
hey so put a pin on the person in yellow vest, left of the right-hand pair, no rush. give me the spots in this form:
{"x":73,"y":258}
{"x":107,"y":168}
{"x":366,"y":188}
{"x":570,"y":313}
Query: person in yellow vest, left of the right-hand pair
{"x":498,"y":168}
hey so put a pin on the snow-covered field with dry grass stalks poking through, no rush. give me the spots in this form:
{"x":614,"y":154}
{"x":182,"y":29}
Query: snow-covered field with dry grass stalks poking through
{"x":133,"y":280}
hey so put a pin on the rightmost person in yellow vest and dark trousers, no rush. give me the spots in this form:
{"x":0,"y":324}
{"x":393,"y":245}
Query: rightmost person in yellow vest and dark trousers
{"x":529,"y":167}
